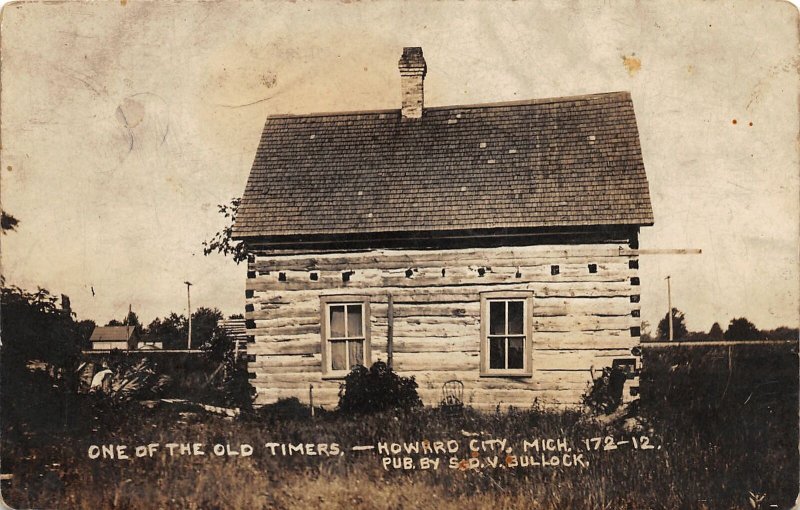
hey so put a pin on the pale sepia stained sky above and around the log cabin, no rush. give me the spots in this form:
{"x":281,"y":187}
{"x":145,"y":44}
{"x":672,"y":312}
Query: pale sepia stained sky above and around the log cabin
{"x":125,"y":123}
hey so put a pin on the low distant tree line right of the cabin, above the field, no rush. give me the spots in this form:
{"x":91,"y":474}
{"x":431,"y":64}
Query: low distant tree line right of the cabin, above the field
{"x":738,"y":329}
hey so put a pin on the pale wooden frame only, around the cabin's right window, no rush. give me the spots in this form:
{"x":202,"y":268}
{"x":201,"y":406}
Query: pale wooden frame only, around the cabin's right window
{"x":526,"y":297}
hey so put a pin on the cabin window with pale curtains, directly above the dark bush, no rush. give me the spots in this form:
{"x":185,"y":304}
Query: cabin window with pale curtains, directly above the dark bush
{"x":345,"y":334}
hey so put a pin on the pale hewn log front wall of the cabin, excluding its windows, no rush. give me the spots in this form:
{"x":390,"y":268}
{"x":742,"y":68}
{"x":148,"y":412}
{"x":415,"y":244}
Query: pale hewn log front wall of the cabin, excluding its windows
{"x":581,"y":320}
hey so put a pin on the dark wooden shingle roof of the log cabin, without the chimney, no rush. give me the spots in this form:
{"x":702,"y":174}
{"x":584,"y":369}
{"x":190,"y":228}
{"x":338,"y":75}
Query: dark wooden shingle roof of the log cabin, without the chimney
{"x":560,"y":162}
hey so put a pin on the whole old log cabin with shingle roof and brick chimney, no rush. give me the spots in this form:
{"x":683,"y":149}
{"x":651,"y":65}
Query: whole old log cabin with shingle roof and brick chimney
{"x":493,"y":243}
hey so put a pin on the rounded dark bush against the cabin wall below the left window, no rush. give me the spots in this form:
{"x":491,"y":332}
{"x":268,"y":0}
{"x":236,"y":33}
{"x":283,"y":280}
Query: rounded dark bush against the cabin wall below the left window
{"x":377,"y":389}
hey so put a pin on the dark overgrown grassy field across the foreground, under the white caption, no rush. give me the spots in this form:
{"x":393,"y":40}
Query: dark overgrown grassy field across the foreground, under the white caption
{"x":722,"y":425}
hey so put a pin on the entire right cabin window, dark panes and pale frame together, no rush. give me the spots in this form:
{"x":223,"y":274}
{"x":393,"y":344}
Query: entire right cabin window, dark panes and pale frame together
{"x":506,"y":334}
